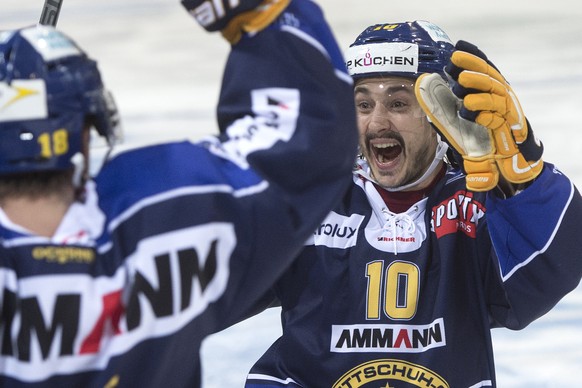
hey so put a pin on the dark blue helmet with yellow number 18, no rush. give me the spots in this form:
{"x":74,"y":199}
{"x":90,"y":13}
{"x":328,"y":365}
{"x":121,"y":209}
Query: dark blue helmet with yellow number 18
{"x":49,"y":90}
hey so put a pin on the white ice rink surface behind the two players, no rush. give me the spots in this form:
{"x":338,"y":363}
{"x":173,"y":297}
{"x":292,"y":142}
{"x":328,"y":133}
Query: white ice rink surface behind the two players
{"x":165,"y":72}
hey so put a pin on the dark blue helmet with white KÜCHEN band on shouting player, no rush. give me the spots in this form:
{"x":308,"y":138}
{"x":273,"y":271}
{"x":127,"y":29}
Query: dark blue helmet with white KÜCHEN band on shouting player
{"x":399,"y":49}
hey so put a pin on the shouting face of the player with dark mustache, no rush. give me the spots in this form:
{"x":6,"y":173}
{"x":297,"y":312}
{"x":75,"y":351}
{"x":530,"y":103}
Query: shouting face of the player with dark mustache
{"x":395,"y":136}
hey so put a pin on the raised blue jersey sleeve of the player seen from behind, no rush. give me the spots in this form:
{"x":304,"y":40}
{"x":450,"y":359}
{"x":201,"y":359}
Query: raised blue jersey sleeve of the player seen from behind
{"x":286,"y":113}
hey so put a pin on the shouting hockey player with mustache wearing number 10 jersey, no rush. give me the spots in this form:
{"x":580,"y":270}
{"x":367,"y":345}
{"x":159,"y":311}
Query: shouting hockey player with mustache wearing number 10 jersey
{"x":403,"y":281}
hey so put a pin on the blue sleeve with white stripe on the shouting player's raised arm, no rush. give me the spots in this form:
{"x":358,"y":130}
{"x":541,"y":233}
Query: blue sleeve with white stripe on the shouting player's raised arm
{"x":536,"y":240}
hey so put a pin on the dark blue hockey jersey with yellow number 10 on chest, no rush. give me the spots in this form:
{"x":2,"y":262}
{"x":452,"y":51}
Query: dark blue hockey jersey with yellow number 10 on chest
{"x":379,"y":299}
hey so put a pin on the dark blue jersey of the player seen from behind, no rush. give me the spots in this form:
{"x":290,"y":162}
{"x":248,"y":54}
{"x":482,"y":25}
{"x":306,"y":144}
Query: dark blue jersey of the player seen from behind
{"x":178,"y":241}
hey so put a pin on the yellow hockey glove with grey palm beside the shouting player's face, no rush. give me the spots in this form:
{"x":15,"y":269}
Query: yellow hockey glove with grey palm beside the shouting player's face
{"x":485,"y":99}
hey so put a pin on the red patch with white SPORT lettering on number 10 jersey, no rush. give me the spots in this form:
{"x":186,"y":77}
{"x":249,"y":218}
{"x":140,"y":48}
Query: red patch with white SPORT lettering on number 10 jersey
{"x":460,"y":212}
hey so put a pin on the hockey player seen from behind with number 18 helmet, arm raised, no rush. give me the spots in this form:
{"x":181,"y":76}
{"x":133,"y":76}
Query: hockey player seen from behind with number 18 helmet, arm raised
{"x":116,"y":280}
